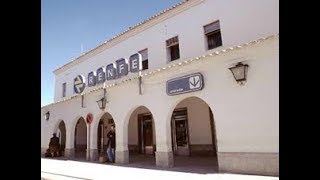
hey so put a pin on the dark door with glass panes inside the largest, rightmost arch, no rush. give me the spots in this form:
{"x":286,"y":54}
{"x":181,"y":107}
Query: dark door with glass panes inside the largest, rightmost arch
{"x":180,"y":132}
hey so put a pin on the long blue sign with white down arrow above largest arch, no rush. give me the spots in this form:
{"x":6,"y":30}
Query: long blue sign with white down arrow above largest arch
{"x":185,"y":84}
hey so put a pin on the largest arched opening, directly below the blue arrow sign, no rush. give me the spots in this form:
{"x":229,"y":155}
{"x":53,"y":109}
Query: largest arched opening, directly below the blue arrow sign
{"x":193,"y":134}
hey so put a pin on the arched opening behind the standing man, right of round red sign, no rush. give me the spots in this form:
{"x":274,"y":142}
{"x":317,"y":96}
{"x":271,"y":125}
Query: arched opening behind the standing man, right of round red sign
{"x":105,"y":123}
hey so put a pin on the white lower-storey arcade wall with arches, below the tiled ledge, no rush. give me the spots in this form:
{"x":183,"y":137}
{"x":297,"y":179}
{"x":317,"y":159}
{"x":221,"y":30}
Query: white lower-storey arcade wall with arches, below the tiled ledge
{"x":246,"y":117}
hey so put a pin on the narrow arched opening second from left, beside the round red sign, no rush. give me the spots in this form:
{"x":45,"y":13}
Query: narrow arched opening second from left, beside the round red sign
{"x":80,"y":139}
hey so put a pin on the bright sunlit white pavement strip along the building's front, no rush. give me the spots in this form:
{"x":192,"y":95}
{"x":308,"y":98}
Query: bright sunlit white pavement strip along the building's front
{"x":62,"y":169}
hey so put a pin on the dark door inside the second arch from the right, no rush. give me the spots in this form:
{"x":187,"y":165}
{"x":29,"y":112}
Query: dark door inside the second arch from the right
{"x":146,"y":134}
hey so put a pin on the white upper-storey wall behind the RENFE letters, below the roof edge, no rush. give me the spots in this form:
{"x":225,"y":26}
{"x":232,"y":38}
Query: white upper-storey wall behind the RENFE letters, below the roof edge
{"x":240,"y":21}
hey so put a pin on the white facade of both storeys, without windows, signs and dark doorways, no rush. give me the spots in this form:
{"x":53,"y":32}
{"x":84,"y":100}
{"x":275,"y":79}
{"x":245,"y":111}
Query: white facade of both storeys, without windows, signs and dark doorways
{"x":246,"y":118}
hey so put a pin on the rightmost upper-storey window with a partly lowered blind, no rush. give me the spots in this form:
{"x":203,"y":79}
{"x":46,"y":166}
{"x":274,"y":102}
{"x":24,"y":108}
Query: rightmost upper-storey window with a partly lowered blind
{"x":213,"y":35}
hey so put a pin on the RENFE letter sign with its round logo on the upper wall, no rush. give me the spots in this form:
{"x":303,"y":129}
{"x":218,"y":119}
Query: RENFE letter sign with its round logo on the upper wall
{"x":112,"y":71}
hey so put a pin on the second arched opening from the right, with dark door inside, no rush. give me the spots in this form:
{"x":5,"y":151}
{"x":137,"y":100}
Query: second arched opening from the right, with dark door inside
{"x":141,"y":136}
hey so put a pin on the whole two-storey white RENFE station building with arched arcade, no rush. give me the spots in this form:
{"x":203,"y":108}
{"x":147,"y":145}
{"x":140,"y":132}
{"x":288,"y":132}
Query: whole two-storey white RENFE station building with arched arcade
{"x":200,"y":78}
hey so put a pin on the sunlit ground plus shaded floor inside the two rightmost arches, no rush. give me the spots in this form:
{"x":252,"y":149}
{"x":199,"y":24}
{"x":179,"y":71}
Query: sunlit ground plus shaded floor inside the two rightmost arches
{"x":140,"y":167}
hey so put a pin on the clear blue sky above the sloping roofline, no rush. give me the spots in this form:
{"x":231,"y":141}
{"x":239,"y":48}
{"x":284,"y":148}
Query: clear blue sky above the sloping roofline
{"x":66,"y":24}
